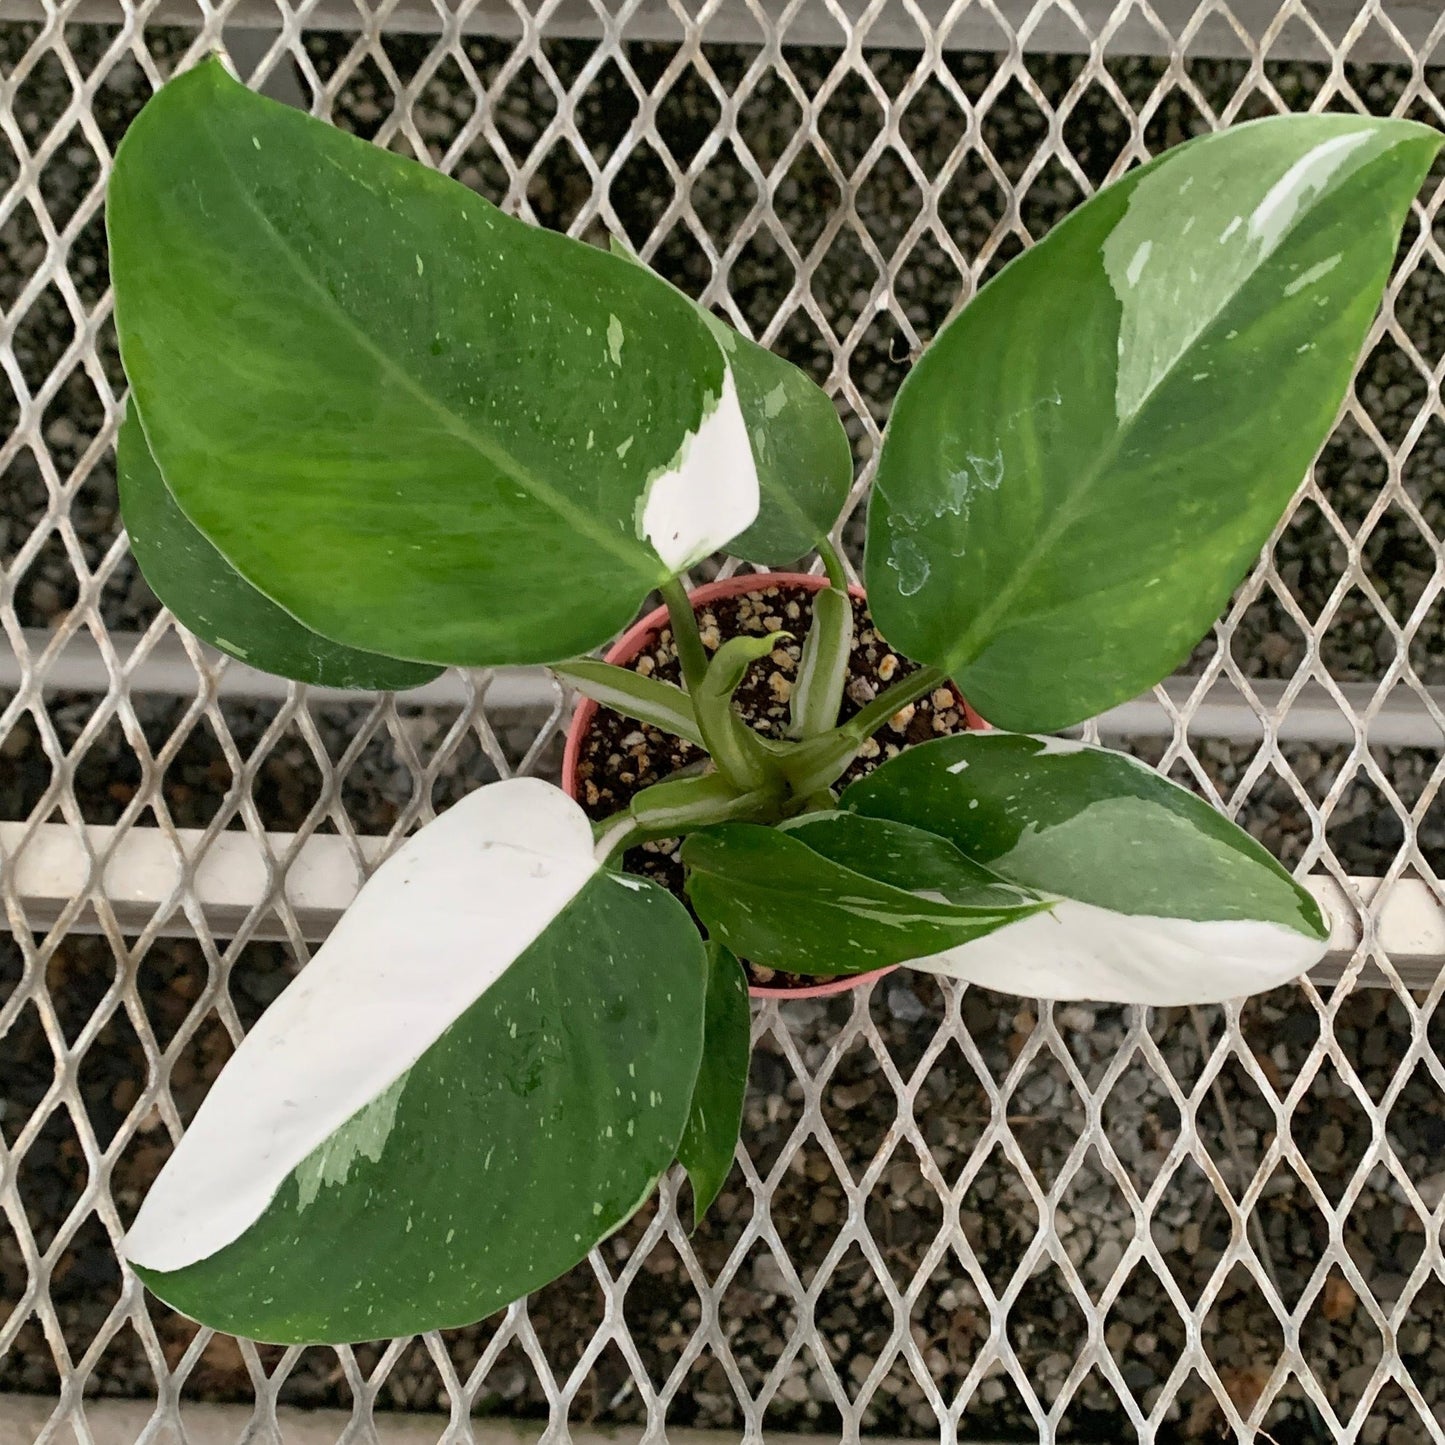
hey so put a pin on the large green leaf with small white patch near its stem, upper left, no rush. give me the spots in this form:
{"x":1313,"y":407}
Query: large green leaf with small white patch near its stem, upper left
{"x":414,"y":423}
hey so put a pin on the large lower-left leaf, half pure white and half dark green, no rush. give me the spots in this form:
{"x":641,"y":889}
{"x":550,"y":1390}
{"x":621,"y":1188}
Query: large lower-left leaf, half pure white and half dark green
{"x":480,"y":1074}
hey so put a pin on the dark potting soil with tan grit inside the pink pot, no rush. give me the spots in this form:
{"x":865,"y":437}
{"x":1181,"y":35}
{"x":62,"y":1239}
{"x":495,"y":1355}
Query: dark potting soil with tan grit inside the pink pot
{"x":621,"y":758}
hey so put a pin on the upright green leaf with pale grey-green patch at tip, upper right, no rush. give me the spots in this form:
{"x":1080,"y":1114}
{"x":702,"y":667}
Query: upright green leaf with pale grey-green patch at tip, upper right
{"x":1089,"y":459}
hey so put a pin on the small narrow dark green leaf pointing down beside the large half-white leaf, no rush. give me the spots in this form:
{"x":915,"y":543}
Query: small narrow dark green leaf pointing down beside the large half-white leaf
{"x":716,"y":1118}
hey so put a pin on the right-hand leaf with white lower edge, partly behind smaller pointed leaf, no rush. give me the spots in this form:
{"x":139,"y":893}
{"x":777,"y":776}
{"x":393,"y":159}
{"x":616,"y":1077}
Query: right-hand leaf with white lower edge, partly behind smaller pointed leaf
{"x":1158,"y":898}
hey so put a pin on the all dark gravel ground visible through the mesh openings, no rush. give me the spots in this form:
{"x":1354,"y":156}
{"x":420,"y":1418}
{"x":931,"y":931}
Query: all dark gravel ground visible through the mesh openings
{"x":1382,"y":1233}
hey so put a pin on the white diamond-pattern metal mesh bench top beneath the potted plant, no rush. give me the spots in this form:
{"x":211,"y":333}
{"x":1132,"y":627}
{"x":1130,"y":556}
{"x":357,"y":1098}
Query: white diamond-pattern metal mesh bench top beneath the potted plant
{"x":954,"y":1213}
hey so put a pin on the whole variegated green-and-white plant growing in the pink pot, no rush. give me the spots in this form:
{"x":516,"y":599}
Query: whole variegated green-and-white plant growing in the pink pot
{"x":376,"y":428}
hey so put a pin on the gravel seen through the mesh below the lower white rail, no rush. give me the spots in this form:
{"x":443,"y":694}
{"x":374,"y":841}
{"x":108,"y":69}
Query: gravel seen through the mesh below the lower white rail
{"x":758,"y":1307}
